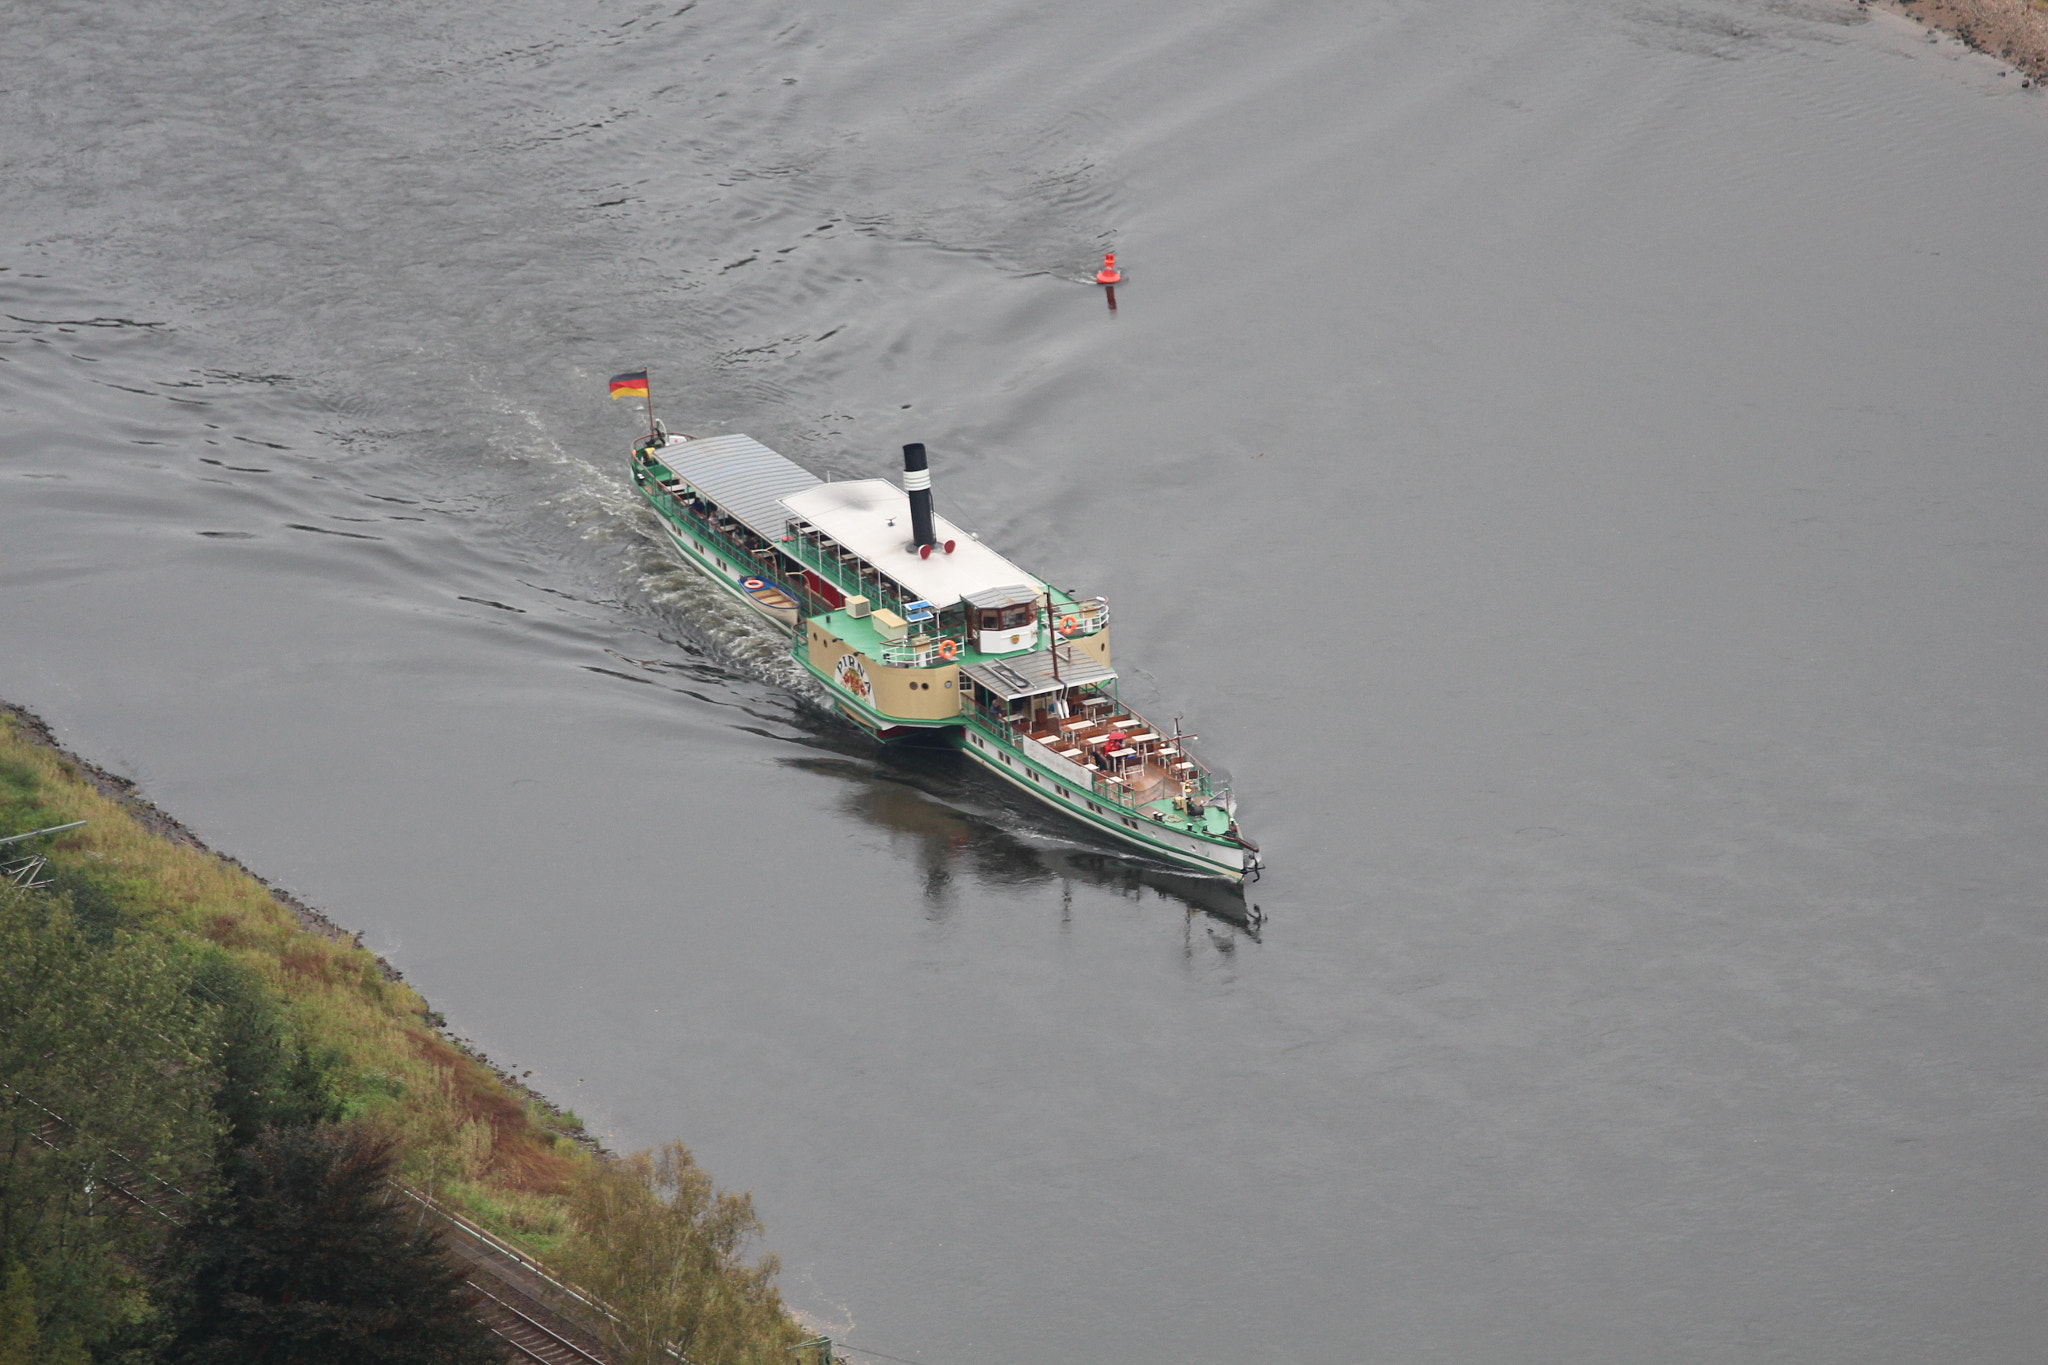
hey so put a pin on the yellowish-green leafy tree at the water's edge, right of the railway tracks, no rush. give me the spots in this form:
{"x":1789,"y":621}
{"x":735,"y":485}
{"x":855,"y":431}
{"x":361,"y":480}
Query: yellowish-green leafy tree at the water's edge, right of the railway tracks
{"x":663,"y":1249}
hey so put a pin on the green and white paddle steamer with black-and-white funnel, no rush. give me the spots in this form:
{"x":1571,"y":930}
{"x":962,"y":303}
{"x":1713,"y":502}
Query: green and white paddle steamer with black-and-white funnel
{"x":914,"y":625}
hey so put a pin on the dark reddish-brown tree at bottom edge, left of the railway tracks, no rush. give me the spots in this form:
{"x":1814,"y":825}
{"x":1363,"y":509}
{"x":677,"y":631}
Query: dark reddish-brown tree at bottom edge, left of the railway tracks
{"x":310,"y":1260}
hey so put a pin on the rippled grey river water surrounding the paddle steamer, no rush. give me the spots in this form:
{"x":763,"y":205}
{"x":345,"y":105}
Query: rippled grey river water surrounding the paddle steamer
{"x":1578,"y":466}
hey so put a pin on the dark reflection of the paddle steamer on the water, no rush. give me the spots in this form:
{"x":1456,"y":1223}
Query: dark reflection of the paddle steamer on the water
{"x":970,"y":832}
